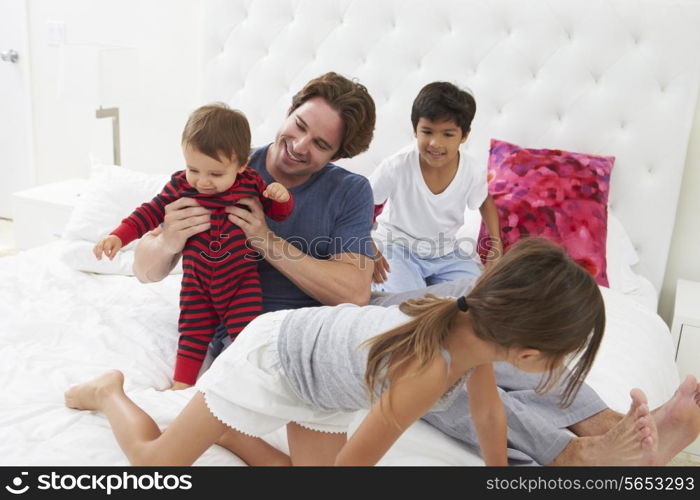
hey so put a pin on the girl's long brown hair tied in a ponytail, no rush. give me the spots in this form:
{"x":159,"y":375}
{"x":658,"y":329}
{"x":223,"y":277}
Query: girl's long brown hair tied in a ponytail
{"x":535,"y":297}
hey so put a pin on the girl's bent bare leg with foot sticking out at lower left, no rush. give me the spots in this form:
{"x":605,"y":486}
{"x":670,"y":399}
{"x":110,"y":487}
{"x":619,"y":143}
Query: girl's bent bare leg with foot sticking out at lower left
{"x":193,"y":431}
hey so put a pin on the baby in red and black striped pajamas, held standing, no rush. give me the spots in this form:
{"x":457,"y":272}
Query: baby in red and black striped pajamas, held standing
{"x":220,"y":280}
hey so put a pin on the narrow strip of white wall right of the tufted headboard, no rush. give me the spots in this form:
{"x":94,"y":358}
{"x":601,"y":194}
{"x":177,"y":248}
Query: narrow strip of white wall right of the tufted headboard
{"x":684,"y":255}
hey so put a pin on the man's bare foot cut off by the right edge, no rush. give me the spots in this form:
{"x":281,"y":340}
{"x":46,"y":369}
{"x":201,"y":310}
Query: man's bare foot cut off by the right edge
{"x":678,"y":420}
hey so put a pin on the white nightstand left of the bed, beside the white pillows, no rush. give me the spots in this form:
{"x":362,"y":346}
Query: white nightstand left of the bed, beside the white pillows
{"x":40,"y":213}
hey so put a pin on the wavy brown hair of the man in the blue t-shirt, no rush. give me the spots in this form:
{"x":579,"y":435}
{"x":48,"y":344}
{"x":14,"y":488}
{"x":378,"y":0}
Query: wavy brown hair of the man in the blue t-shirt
{"x":354,"y":104}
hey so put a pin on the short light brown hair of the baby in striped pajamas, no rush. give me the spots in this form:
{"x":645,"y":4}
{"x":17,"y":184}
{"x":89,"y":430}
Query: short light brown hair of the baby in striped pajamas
{"x":216,"y":130}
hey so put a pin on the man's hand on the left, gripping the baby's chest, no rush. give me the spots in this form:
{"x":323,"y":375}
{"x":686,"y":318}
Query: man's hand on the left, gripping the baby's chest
{"x":183,"y":218}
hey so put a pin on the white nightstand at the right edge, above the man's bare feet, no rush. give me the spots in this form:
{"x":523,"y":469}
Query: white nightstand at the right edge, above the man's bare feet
{"x":686,"y":334}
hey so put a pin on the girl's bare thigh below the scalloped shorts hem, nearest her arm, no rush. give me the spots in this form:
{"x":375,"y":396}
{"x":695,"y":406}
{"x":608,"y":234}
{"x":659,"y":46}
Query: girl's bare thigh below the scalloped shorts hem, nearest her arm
{"x":307,"y":447}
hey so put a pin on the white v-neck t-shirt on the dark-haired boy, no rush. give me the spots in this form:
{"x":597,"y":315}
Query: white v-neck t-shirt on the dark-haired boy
{"x":414,"y":216}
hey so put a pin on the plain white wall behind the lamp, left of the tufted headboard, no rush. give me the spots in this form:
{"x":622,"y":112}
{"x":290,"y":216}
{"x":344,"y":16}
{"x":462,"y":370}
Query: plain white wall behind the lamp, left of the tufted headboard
{"x":159,"y":66}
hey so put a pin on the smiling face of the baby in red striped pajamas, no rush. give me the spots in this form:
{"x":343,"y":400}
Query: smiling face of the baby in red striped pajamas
{"x":207,"y":175}
